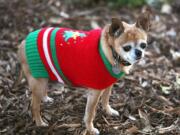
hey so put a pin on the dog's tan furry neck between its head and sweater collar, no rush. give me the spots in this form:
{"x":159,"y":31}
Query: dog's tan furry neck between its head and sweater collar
{"x":106,"y":47}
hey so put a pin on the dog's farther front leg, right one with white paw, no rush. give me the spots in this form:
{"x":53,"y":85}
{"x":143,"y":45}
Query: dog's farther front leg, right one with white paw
{"x":105,"y":103}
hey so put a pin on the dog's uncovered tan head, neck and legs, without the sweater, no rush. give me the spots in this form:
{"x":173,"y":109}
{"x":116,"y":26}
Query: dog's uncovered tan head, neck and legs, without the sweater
{"x":122,"y":43}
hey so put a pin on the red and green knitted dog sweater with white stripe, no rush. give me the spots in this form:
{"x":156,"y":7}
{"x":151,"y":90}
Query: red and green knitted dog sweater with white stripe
{"x":69,"y":56}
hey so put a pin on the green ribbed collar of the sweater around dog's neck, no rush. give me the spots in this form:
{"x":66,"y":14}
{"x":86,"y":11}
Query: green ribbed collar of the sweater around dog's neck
{"x":108,"y":64}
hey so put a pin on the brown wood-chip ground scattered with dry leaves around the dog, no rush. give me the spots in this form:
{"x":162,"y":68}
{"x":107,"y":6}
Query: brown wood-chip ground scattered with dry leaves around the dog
{"x":148,"y":99}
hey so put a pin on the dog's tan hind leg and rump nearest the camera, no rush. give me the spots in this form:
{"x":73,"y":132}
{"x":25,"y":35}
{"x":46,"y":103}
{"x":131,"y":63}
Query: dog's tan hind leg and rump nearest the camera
{"x":38,"y":87}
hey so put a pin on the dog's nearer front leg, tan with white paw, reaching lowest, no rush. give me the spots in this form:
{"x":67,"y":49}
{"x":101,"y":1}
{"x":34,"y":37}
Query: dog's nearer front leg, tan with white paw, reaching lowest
{"x":92,"y":101}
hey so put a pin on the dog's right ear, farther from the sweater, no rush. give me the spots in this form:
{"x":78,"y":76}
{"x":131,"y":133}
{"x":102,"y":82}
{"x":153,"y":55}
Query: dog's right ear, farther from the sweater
{"x":143,"y":21}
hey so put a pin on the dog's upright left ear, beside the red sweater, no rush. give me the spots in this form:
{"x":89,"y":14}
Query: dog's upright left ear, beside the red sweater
{"x":116,"y":27}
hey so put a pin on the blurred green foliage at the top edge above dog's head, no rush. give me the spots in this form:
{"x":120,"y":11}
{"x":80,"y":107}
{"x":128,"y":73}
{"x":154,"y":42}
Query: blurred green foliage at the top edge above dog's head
{"x":129,"y":3}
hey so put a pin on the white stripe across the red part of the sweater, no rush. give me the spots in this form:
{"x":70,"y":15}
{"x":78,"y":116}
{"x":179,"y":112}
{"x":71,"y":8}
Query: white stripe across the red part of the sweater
{"x":47,"y":56}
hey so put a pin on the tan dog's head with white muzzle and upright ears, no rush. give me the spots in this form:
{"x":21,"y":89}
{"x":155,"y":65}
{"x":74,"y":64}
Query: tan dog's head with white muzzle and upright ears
{"x":130,"y":40}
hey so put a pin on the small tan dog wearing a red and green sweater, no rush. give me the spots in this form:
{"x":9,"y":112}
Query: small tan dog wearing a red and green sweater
{"x":91,"y":59}
